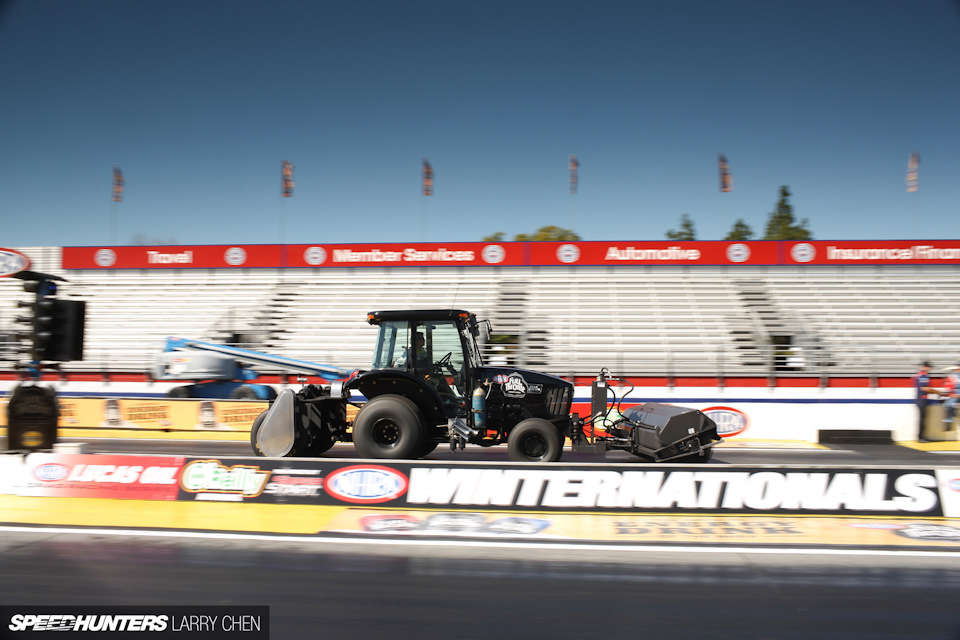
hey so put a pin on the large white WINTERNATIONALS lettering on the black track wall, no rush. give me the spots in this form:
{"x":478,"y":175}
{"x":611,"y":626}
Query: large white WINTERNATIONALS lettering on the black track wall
{"x":815,"y":491}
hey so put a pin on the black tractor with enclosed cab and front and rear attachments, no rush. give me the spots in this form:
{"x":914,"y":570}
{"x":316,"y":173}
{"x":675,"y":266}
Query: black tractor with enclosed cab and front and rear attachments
{"x":428,"y":385}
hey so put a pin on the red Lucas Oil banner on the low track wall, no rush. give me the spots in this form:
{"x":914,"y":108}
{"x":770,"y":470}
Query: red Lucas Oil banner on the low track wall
{"x":73,"y":475}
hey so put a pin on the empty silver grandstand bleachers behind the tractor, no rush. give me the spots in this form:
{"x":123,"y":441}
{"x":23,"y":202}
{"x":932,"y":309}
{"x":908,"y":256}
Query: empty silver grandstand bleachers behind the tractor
{"x":568,"y":320}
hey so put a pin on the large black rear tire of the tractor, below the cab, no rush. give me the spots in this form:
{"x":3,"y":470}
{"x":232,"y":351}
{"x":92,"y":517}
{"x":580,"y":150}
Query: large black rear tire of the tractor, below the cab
{"x":389,"y":427}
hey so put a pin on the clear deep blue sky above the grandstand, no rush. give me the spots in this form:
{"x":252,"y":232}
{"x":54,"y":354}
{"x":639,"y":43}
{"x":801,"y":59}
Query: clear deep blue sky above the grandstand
{"x":199,"y":101}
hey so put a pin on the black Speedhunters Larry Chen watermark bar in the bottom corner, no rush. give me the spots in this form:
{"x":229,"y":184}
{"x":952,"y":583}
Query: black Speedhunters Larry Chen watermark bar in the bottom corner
{"x":209,"y":623}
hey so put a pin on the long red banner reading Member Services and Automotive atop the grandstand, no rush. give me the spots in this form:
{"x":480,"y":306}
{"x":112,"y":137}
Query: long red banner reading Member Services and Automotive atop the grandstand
{"x":479,"y":254}
